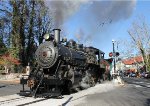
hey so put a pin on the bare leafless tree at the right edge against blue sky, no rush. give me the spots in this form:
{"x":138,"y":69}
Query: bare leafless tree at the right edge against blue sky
{"x":140,"y":36}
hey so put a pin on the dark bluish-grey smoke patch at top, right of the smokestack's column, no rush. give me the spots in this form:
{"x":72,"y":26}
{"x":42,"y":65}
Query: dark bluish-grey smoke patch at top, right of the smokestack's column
{"x":114,"y":10}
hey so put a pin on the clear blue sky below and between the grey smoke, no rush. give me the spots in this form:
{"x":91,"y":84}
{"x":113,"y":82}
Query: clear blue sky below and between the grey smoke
{"x":102,"y":38}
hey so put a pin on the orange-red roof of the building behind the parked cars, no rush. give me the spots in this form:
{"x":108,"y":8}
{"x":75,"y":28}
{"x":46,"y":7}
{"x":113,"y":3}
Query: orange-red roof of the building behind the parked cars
{"x":133,"y":60}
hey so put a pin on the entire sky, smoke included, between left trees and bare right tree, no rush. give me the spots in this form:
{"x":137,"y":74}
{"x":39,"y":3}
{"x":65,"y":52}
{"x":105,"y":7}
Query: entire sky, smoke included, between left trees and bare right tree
{"x":97,"y":23}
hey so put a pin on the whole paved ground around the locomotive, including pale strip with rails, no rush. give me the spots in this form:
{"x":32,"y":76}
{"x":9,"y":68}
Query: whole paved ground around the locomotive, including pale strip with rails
{"x":135,"y":92}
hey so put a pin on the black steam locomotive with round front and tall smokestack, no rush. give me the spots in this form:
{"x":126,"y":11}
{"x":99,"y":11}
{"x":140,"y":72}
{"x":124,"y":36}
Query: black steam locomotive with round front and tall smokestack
{"x":63,"y":66}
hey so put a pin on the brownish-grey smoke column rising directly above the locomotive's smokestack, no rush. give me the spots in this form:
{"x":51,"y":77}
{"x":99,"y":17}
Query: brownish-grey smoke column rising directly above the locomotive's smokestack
{"x":61,"y":10}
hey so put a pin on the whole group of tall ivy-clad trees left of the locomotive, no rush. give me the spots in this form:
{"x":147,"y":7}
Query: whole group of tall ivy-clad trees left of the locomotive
{"x":23,"y":24}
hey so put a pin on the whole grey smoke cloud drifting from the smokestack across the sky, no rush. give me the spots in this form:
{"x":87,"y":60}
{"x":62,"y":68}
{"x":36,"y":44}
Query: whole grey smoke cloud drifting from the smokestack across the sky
{"x":93,"y":14}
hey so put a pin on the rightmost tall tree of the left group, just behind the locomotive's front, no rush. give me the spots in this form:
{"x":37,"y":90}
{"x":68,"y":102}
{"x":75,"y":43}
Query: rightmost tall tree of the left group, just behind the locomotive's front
{"x":39,"y":25}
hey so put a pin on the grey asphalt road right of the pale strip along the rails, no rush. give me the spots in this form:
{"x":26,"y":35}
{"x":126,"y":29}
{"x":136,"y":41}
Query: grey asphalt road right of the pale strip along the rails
{"x":135,"y":93}
